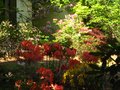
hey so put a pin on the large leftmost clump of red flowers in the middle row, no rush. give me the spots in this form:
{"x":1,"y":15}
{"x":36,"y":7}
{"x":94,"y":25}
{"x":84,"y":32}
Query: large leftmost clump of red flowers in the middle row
{"x":30,"y":51}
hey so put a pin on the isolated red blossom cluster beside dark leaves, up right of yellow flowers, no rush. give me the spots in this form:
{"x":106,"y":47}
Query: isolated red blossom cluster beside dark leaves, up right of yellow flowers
{"x":88,"y":57}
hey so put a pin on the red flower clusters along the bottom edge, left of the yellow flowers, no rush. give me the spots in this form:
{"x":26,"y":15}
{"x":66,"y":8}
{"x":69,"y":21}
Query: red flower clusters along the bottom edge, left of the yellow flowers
{"x":45,"y":82}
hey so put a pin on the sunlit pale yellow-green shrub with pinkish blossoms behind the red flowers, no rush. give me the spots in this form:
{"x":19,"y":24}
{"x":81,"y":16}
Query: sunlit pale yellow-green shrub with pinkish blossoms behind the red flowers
{"x":69,"y":33}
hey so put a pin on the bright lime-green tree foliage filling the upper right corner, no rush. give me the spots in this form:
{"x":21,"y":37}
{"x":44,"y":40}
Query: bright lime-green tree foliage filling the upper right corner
{"x":103,"y":14}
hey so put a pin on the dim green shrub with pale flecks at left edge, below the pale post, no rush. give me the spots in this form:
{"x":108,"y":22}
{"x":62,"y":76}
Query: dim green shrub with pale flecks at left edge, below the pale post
{"x":10,"y":36}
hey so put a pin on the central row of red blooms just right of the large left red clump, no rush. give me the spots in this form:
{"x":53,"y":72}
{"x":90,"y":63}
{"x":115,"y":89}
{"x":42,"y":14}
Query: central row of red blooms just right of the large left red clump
{"x":58,"y":51}
